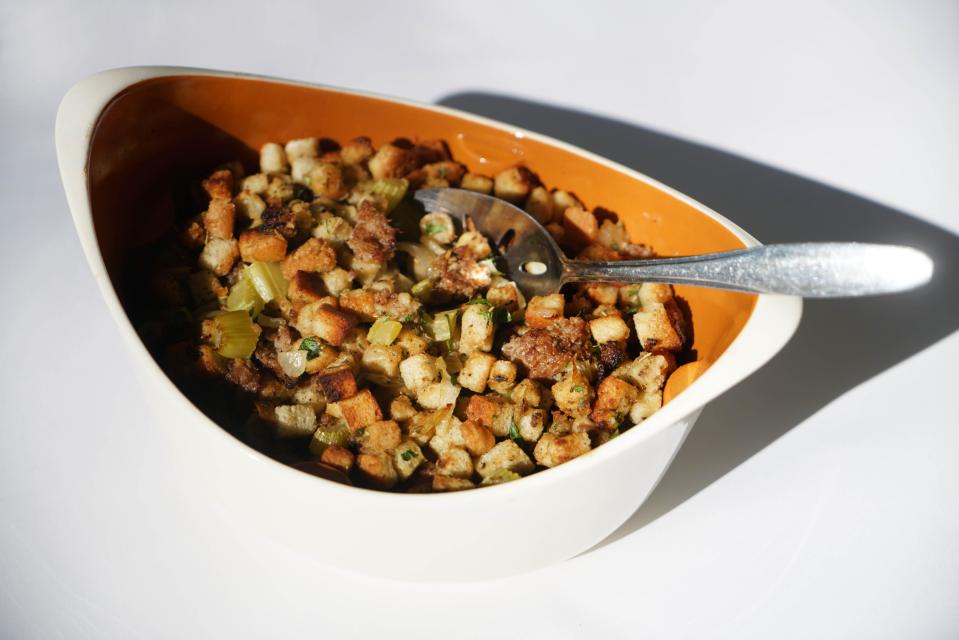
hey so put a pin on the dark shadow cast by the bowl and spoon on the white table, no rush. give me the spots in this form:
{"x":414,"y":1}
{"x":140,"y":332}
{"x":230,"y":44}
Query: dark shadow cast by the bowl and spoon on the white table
{"x":839,"y":343}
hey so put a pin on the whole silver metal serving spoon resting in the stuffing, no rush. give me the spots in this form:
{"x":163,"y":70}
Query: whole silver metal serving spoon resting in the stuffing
{"x":534,"y":261}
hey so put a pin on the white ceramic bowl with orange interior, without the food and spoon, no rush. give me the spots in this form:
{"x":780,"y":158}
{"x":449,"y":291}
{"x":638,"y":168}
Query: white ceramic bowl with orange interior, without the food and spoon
{"x":124,"y":136}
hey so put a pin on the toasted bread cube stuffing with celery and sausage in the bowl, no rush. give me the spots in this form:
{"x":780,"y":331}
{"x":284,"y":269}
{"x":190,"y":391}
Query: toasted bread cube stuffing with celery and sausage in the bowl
{"x":480,"y":387}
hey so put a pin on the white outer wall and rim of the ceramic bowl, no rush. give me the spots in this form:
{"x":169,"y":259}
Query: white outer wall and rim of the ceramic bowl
{"x":484,"y":533}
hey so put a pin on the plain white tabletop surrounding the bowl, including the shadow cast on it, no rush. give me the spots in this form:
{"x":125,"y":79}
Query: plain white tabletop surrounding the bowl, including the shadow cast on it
{"x":817,"y":500}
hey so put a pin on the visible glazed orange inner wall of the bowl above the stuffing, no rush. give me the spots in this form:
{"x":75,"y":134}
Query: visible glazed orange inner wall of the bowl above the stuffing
{"x":166,"y":130}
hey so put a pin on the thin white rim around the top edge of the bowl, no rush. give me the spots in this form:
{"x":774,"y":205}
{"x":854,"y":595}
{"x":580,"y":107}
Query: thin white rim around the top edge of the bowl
{"x":771,"y":323}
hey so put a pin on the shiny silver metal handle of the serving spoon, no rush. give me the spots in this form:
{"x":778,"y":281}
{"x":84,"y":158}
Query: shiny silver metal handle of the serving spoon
{"x":810,"y":270}
